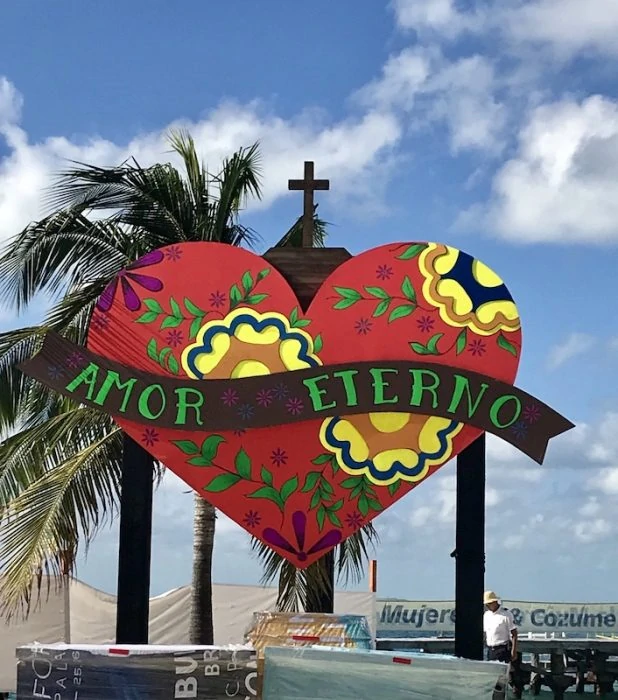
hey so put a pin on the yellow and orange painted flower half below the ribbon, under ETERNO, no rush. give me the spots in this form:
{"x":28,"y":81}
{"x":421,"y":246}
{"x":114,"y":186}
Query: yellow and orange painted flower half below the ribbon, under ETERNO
{"x":388,"y":447}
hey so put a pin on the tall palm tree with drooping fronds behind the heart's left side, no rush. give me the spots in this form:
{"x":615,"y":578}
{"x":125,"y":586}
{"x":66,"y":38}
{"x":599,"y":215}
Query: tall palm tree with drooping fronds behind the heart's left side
{"x":60,"y":463}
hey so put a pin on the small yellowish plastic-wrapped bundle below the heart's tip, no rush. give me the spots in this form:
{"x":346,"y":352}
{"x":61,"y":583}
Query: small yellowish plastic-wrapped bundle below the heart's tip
{"x":306,"y":629}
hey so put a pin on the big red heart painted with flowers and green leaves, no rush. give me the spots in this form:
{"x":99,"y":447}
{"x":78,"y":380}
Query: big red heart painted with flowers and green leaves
{"x":214,"y":311}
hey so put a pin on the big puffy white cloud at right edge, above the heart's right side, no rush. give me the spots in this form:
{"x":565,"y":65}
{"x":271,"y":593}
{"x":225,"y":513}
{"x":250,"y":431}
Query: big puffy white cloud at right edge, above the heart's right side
{"x":562,"y":185}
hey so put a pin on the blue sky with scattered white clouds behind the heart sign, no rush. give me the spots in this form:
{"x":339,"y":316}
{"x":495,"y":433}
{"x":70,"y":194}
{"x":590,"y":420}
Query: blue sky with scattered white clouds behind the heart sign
{"x":492,"y":126}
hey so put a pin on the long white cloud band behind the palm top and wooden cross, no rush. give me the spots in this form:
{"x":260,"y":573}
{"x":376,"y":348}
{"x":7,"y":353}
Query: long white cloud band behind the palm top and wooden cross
{"x":350,"y":151}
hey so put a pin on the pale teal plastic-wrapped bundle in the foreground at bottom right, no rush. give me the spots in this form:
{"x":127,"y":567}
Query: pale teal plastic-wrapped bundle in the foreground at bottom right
{"x":335,"y":674}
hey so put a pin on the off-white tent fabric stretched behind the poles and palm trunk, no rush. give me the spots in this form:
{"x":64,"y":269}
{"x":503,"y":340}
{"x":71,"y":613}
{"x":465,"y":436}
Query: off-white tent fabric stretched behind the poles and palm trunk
{"x":80,"y":614}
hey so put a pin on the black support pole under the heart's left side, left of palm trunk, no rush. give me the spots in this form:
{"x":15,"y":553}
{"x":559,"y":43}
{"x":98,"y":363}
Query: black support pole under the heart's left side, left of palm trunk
{"x":135,"y":545}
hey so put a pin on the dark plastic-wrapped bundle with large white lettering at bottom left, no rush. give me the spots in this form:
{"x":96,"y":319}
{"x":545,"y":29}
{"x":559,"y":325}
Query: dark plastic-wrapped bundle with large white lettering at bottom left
{"x":133,"y":672}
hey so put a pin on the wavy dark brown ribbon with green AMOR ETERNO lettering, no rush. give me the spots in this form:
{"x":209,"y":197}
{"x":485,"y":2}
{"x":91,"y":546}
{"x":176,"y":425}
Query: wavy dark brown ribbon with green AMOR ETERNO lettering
{"x":288,"y":397}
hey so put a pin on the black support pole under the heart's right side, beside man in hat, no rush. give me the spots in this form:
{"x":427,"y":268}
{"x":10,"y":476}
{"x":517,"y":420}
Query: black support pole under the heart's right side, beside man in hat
{"x":470,"y":551}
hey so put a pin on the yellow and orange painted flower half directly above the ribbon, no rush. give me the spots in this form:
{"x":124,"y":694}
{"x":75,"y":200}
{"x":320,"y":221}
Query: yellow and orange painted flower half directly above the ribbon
{"x":245,"y":344}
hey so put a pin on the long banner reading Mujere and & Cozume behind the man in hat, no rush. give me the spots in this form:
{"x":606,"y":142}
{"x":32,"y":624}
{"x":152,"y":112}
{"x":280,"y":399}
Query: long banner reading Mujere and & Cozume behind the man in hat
{"x":403,"y":618}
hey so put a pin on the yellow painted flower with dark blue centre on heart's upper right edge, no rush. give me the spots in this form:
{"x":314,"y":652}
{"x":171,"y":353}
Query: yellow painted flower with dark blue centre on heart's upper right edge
{"x":466,"y":292}
